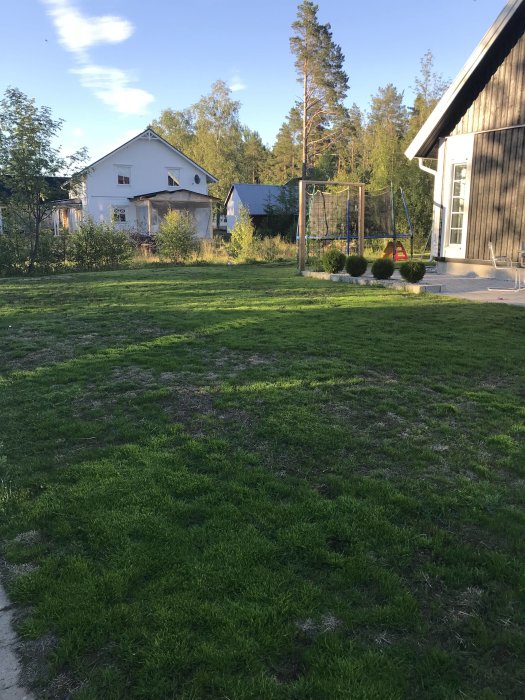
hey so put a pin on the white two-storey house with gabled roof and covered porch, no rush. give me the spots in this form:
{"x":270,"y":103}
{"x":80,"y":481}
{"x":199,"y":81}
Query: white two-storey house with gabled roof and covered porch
{"x":136,"y":184}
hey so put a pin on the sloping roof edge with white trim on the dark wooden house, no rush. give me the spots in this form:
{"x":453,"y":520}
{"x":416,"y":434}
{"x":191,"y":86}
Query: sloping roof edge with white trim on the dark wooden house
{"x":465,"y":87}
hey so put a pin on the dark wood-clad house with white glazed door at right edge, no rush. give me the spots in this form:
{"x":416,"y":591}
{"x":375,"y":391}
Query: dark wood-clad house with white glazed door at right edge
{"x":476,"y":134}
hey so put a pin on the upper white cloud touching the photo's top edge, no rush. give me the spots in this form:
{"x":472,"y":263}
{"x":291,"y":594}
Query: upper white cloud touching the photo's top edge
{"x":77,"y":32}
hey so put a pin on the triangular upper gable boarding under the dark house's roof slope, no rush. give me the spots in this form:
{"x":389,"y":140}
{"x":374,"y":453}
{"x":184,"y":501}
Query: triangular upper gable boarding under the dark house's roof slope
{"x":500,"y":103}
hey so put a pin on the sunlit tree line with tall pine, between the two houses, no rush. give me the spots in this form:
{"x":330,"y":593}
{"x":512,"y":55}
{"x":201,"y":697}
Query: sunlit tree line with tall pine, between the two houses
{"x":320,"y":138}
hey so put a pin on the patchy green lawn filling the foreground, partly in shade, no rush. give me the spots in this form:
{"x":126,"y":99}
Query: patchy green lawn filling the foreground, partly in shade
{"x":236,"y":483}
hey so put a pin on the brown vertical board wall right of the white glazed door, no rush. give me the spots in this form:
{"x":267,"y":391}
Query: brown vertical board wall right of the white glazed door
{"x":497,"y":200}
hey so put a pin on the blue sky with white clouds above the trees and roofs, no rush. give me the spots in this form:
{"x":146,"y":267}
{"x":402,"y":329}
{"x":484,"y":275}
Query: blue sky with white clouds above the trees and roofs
{"x":109,"y":67}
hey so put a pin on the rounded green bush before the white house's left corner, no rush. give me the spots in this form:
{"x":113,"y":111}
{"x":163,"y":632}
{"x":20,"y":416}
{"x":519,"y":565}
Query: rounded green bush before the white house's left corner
{"x":96,"y":246}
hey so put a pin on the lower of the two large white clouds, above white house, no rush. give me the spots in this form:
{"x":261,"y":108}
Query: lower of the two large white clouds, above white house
{"x":111,"y":85}
